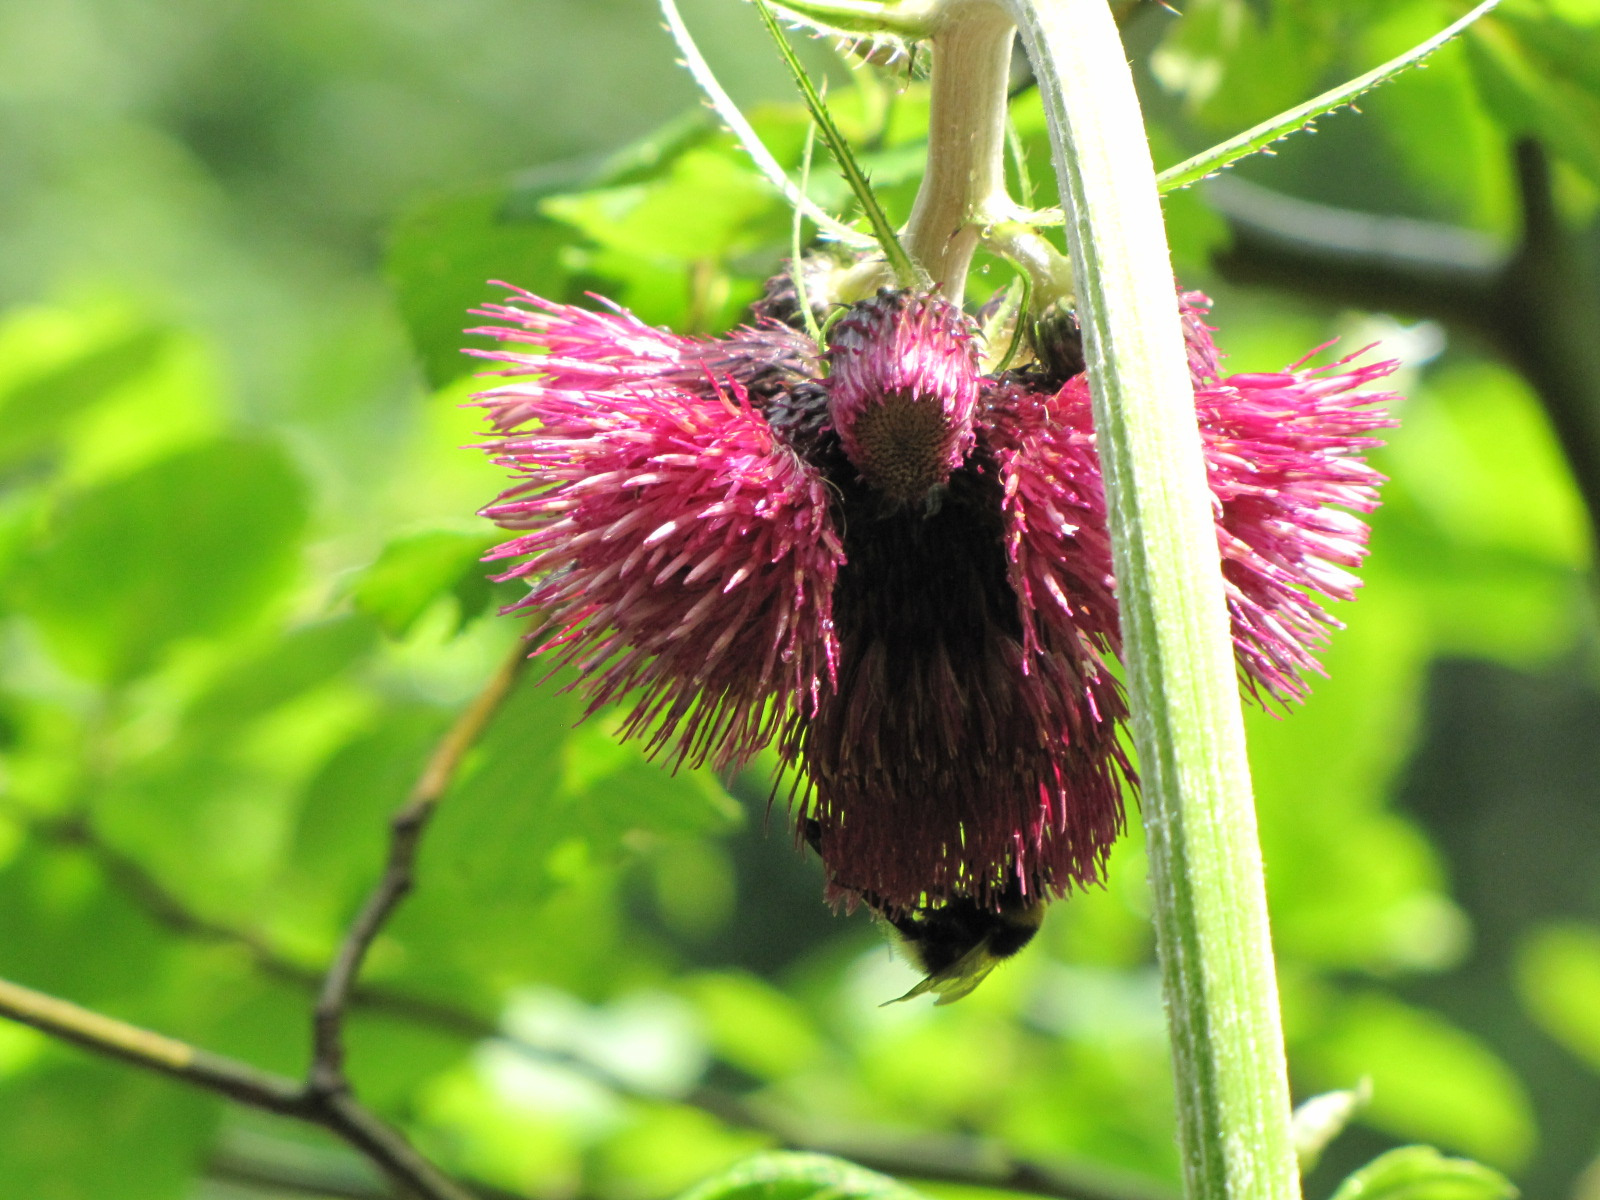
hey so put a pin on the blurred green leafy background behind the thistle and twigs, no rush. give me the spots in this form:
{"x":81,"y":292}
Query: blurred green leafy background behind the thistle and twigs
{"x":242,"y":601}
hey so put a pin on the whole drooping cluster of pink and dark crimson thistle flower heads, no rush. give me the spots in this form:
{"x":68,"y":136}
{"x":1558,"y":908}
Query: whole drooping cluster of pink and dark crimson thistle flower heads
{"x":895,"y":569}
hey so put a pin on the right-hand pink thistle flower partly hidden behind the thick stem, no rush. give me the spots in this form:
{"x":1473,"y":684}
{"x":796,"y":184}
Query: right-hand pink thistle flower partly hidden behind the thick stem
{"x":1284,"y":458}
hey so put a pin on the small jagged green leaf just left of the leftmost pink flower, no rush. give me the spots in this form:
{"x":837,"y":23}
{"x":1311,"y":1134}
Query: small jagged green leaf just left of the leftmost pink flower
{"x":418,"y":569}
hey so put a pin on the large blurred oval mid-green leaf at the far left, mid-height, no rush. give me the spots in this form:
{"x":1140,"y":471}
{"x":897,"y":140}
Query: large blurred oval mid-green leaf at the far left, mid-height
{"x":191,"y":546}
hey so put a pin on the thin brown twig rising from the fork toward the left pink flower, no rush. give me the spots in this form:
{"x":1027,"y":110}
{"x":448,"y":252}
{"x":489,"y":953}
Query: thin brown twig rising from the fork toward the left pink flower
{"x":327,"y":1070}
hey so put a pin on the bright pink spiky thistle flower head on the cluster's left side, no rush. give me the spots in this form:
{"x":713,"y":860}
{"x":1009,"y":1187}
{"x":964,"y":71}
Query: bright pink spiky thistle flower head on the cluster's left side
{"x":682,"y":551}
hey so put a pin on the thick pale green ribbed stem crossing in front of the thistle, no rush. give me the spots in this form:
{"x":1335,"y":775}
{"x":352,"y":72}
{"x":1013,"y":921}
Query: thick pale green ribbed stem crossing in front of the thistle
{"x":1199,"y":818}
